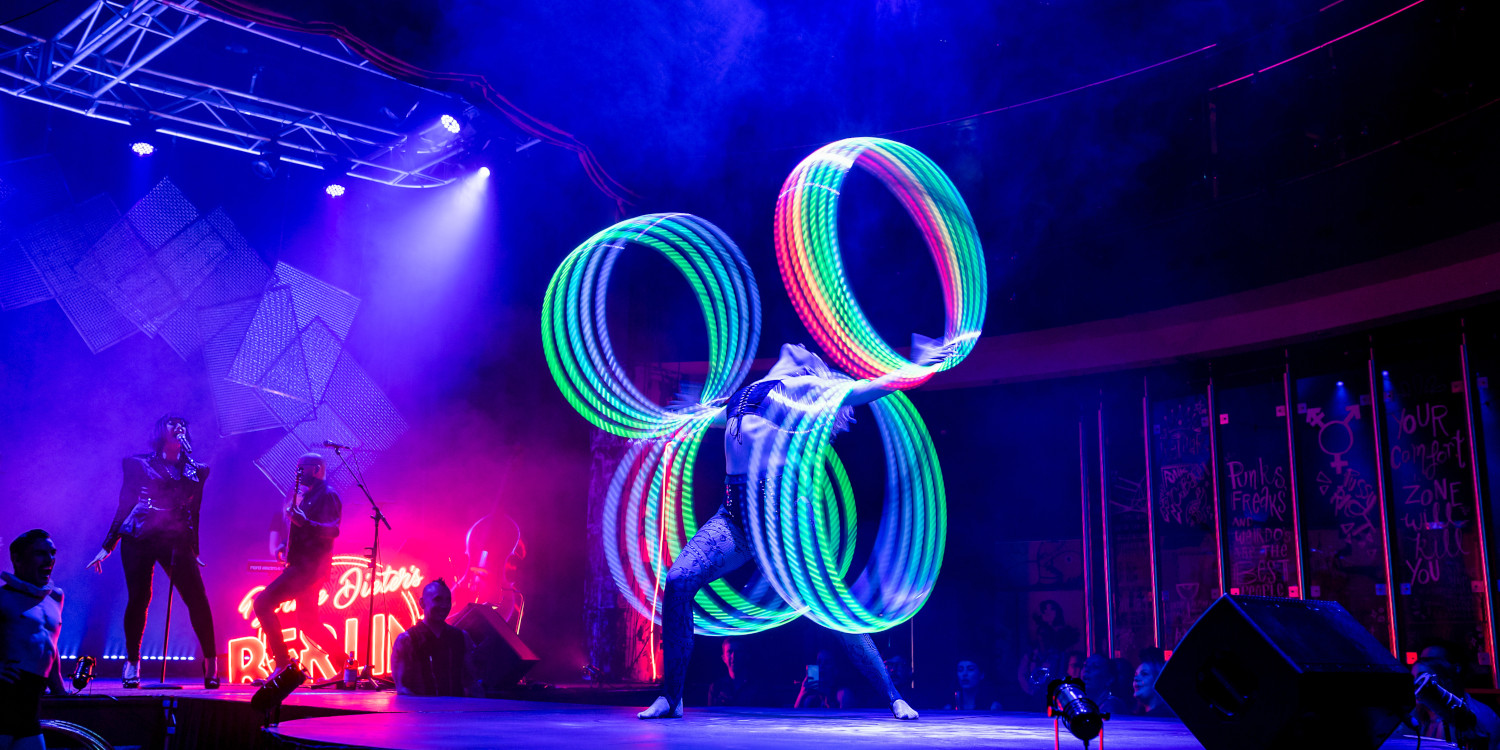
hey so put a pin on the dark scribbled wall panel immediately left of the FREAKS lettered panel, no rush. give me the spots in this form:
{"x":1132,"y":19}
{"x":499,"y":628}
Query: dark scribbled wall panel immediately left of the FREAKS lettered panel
{"x":1184,"y":514}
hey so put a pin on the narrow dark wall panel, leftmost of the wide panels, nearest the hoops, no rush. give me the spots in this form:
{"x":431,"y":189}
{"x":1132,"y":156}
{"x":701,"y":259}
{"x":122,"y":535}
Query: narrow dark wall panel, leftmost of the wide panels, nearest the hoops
{"x":1127,"y":533}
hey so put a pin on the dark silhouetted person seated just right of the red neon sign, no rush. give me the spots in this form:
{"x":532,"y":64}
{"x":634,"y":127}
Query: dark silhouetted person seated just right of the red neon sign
{"x":434,"y":658}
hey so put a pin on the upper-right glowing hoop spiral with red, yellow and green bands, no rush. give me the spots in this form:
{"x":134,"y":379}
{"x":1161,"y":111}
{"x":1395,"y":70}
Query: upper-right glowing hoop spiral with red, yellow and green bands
{"x":812,"y":269}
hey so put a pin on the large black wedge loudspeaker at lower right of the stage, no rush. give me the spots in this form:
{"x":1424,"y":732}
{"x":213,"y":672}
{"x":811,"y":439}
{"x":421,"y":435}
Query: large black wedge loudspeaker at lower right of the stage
{"x":1259,"y":673}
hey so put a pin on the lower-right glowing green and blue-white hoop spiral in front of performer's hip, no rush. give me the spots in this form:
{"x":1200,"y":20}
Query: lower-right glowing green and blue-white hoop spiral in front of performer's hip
{"x":794,"y":539}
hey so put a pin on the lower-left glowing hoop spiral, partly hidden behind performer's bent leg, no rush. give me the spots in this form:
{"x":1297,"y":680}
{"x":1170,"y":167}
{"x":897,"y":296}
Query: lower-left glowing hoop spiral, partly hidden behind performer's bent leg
{"x":655,"y":485}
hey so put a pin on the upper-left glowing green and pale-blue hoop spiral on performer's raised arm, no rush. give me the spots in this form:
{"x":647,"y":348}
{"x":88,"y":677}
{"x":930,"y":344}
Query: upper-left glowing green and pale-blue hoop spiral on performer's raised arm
{"x":577,"y":341}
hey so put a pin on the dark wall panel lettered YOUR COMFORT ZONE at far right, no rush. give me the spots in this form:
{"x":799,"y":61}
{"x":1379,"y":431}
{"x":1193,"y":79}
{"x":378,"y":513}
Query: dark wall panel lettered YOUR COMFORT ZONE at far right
{"x":1438,"y":551}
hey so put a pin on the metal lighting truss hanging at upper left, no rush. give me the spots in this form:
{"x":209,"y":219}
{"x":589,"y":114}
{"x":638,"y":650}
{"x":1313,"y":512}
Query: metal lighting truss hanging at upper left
{"x":98,"y":67}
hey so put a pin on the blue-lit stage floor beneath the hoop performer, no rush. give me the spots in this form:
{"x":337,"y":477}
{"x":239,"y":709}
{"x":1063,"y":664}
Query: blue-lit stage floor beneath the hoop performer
{"x":391,"y":722}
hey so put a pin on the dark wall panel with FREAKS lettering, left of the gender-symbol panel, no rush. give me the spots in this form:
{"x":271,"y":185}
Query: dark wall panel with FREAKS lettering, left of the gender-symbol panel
{"x":1261,"y":550}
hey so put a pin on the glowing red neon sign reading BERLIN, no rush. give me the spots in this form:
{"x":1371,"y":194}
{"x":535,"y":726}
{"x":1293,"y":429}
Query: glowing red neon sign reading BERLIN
{"x":397,"y":610}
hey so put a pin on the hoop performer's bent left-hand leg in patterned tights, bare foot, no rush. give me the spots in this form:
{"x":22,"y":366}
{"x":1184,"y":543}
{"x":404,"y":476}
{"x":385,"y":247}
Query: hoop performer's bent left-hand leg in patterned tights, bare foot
{"x":716,"y":550}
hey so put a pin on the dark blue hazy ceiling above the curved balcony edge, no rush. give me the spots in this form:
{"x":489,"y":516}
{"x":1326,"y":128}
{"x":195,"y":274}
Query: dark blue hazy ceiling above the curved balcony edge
{"x":1141,"y":193}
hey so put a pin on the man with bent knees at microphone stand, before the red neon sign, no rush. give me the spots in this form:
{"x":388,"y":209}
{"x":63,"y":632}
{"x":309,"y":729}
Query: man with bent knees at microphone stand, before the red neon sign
{"x":314,"y":524}
